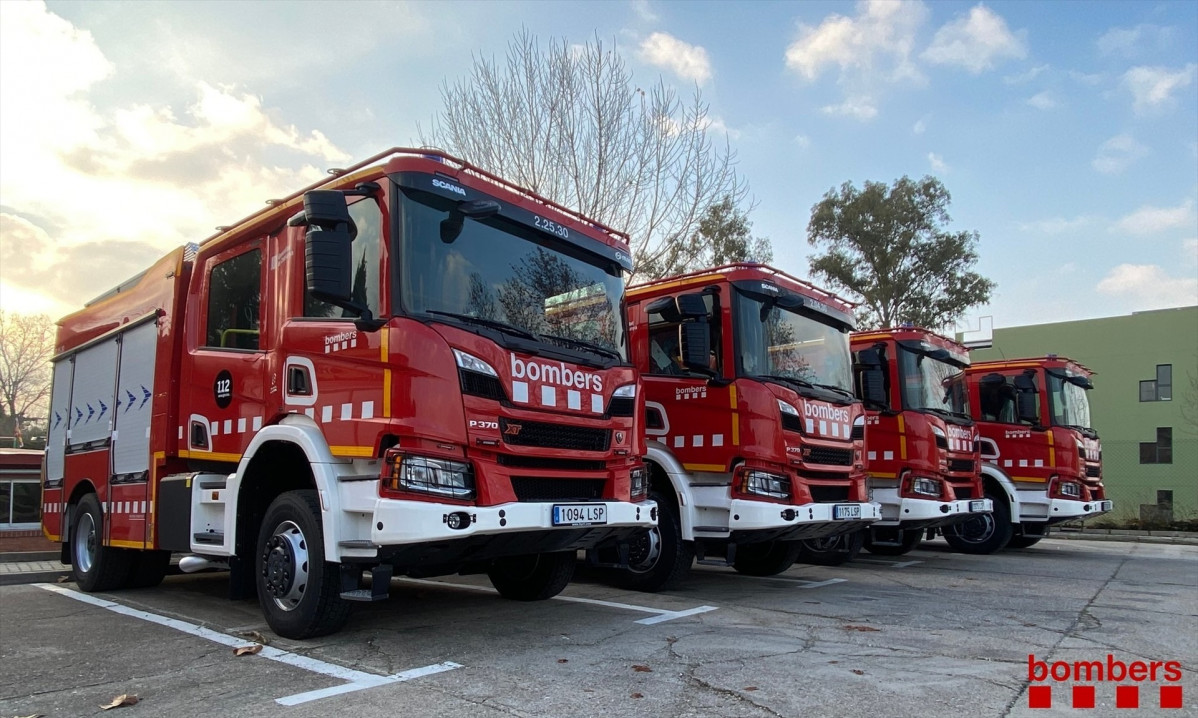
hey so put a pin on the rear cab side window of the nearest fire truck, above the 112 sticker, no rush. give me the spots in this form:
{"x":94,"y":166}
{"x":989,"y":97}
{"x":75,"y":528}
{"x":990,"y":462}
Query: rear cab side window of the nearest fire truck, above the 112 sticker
{"x":234,"y":300}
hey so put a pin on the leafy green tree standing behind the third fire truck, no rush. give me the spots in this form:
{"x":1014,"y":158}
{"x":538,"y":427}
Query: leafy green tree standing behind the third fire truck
{"x":891,"y":248}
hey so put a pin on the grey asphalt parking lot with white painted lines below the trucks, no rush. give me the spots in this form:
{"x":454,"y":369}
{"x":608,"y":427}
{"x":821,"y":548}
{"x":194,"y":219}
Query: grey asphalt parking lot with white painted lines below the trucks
{"x":933,"y":633}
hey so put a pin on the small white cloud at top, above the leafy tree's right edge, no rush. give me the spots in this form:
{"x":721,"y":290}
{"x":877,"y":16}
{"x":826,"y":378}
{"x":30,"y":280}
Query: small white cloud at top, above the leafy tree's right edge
{"x":977,"y":43}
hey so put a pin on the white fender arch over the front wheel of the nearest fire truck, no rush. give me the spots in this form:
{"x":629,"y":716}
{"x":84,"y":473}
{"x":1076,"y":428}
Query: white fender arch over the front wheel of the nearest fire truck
{"x":305,"y":433}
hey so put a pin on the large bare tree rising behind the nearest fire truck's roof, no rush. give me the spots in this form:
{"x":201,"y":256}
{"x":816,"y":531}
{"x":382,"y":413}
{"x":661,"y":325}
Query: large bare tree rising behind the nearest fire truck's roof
{"x":570,"y":124}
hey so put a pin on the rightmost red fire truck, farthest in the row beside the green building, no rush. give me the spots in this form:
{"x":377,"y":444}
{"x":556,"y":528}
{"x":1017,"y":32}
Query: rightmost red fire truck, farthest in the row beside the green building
{"x":1043,"y":460}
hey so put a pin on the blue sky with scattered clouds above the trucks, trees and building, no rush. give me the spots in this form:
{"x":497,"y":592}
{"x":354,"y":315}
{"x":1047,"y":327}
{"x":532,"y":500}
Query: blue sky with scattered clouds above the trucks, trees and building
{"x":1066,"y":132}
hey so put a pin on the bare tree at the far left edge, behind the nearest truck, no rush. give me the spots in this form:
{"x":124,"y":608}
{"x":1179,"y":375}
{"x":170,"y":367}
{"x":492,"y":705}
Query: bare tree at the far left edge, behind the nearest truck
{"x":27,"y":343}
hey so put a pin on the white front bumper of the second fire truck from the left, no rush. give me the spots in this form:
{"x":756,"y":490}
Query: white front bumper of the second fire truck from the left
{"x":761,"y":521}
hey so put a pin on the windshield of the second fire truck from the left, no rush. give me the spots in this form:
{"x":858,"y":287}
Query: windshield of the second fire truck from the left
{"x":791,"y":345}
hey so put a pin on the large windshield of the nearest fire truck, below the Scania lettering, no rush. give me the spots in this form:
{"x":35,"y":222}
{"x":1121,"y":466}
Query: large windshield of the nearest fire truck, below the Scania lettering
{"x":501,"y":273}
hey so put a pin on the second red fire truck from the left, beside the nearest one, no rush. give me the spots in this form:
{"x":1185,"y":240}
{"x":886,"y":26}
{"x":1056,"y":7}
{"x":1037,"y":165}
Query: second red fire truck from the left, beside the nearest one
{"x":755,"y":436}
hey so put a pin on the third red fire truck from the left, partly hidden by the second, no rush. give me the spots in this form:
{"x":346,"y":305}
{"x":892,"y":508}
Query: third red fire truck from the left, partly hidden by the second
{"x":921,"y":443}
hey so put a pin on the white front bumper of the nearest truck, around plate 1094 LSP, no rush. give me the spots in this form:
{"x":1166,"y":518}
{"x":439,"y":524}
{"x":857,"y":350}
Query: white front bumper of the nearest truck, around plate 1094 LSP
{"x":397,"y":522}
